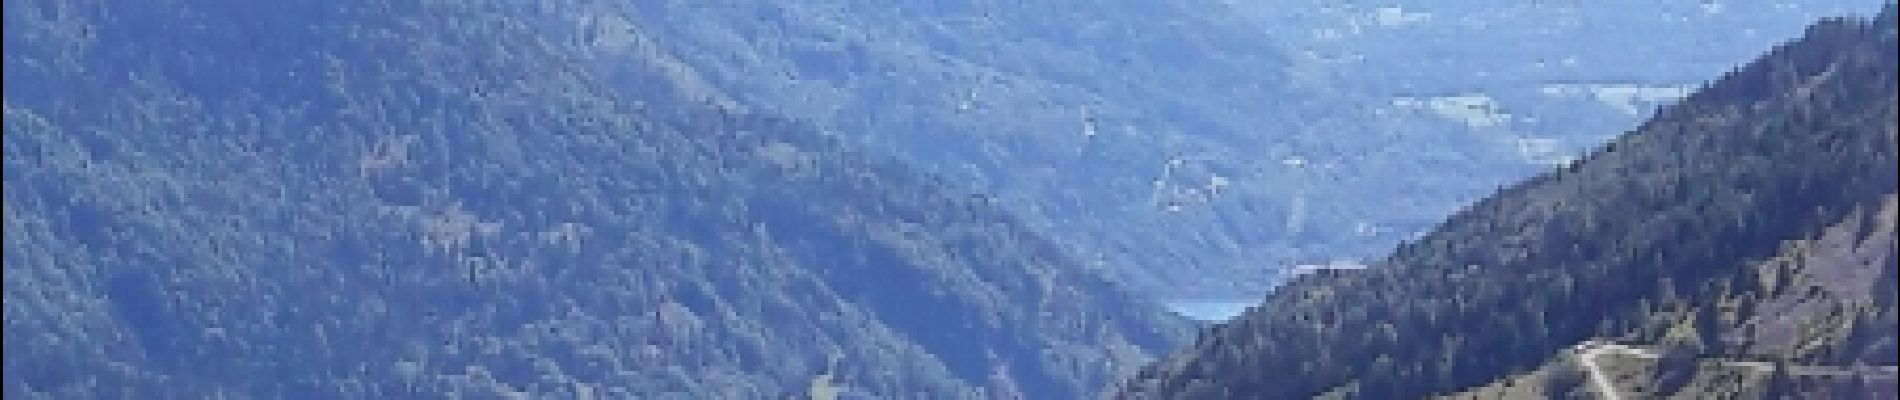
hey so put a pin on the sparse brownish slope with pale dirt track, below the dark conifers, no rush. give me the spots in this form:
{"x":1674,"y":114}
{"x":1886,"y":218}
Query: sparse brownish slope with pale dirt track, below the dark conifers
{"x":1815,"y":321}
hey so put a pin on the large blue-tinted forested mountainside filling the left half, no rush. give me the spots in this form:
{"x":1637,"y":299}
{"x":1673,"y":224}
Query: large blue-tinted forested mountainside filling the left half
{"x":417,"y":200}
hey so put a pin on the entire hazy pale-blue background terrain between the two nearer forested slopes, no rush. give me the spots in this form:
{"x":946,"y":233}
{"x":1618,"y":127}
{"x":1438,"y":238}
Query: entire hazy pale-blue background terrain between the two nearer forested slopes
{"x":1196,"y":149}
